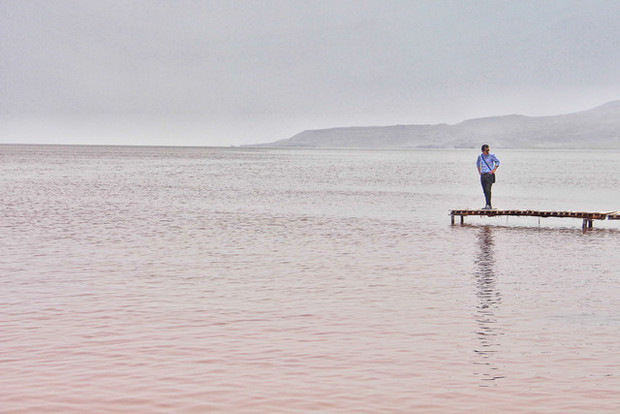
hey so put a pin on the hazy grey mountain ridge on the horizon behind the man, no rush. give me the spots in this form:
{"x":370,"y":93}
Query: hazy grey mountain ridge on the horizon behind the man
{"x":597,"y":128}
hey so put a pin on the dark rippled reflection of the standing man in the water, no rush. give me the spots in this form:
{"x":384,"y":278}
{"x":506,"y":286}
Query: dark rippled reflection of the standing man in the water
{"x":489,"y":300}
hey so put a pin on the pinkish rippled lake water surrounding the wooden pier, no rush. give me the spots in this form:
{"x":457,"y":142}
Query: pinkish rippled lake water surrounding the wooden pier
{"x":194,"y":280}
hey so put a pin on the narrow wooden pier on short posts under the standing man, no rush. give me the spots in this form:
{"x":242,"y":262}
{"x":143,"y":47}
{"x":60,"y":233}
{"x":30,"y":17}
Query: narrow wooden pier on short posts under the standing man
{"x":587,"y":217}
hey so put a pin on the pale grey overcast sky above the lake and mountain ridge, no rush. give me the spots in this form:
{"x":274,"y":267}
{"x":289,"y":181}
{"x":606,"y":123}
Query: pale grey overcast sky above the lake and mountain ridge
{"x":231,"y":72}
